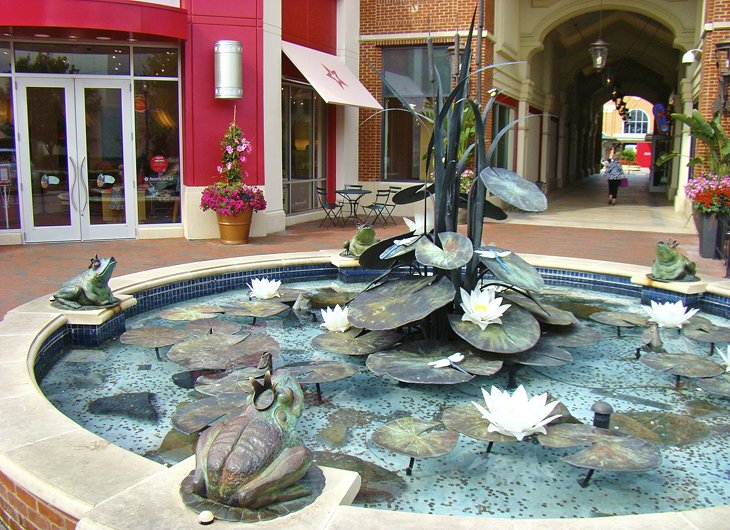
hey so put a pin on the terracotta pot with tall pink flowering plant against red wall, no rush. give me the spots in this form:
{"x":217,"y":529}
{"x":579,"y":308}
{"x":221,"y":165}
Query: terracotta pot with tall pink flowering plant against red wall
{"x":231,"y":198}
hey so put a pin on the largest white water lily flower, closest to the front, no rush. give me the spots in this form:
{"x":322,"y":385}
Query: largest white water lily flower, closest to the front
{"x":516,"y":415}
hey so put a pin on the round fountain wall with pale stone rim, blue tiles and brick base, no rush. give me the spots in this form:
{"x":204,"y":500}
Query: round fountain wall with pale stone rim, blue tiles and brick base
{"x":52,"y":469}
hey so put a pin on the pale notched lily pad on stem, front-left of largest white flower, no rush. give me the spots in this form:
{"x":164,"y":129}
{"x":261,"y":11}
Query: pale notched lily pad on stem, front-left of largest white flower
{"x":409,"y":436}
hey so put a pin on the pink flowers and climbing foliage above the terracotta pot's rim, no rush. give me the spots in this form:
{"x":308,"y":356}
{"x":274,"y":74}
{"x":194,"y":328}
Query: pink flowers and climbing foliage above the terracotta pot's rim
{"x":231,"y":195}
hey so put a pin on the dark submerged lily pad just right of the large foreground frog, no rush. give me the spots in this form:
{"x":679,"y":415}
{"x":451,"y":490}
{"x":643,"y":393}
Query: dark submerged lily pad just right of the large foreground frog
{"x":378,"y":484}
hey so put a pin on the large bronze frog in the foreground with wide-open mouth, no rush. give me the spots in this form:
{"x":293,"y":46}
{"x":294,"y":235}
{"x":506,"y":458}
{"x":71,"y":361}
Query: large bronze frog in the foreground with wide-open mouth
{"x":257,"y":458}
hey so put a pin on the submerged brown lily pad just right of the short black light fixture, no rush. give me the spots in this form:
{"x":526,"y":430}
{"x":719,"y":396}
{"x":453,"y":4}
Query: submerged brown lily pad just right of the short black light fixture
{"x":662,"y":428}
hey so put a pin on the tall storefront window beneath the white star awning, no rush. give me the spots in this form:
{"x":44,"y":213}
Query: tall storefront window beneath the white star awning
{"x":304,"y":146}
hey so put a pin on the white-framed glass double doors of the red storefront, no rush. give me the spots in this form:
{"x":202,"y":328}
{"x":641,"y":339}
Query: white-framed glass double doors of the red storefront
{"x":76,"y":161}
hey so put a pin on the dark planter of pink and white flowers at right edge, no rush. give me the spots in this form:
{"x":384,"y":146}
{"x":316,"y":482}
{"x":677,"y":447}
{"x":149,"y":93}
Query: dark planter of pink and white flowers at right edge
{"x":710,"y":196}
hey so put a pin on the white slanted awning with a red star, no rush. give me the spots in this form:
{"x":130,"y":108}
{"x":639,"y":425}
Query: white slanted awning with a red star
{"x":330,"y":77}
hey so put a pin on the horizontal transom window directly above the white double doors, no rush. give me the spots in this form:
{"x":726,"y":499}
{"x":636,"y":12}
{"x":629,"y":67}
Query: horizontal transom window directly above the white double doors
{"x":71,"y":59}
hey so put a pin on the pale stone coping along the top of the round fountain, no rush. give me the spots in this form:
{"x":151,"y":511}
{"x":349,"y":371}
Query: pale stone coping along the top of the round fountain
{"x":107,"y":487}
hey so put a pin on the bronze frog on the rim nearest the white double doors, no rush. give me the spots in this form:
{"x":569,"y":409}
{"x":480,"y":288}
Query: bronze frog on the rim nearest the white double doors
{"x":90,"y":288}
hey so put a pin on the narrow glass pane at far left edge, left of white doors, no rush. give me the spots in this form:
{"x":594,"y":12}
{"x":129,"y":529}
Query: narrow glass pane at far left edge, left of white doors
{"x":9,"y":201}
